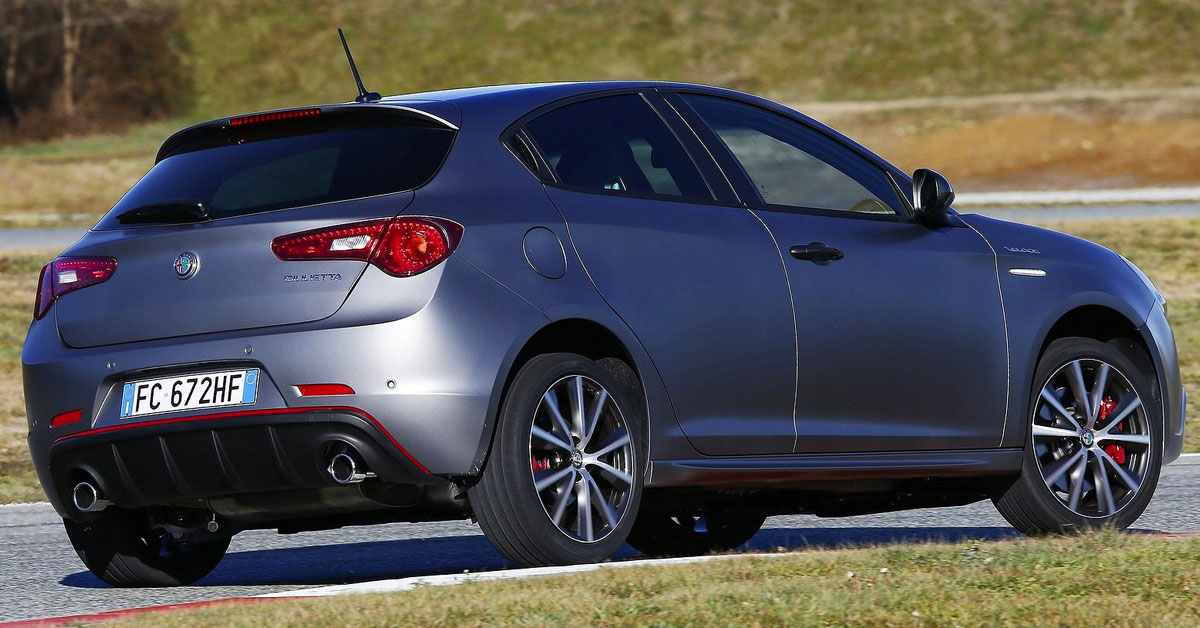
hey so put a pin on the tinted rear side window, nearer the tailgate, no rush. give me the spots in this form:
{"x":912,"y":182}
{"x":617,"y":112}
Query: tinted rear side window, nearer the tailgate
{"x":616,"y":145}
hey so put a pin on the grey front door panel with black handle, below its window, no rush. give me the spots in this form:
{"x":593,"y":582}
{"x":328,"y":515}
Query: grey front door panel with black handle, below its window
{"x":902,"y":342}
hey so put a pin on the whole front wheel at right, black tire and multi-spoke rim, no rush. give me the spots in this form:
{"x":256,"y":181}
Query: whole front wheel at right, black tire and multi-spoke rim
{"x":1064,"y":477}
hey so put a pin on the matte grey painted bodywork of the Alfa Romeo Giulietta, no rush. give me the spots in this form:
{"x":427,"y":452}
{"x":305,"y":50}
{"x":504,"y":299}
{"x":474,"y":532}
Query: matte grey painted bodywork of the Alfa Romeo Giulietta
{"x":715,"y":344}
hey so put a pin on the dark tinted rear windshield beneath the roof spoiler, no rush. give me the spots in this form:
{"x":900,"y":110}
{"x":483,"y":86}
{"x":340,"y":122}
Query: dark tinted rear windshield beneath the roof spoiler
{"x":281,"y":170}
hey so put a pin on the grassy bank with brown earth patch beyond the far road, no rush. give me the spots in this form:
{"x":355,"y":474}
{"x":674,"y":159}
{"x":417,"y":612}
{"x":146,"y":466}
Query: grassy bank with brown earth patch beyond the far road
{"x":256,"y":55}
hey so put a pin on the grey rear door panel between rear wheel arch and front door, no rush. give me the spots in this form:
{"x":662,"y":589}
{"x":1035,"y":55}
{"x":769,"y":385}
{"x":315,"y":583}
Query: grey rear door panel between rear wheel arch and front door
{"x":704,"y":289}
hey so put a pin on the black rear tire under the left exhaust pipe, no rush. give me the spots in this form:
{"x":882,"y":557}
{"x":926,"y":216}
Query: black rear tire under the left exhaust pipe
{"x":121,"y":549}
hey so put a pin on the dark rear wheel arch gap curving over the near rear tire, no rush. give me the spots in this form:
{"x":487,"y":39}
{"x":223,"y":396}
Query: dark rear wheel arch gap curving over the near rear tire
{"x":581,"y":337}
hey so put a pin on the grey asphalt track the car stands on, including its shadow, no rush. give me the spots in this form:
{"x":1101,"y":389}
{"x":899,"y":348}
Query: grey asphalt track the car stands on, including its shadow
{"x":41,"y":577}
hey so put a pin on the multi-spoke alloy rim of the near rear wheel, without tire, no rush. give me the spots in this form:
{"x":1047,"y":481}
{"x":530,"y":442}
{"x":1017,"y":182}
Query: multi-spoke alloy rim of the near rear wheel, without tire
{"x":581,"y":459}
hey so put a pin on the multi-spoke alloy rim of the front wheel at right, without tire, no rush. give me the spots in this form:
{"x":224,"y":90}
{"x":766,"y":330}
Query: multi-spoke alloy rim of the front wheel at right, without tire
{"x":1091,"y":438}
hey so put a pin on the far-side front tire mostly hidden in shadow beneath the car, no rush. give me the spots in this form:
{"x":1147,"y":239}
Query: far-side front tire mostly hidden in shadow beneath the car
{"x":664,"y":535}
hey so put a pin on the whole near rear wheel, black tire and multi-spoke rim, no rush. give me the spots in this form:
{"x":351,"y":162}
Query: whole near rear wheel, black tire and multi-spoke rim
{"x":517,"y":517}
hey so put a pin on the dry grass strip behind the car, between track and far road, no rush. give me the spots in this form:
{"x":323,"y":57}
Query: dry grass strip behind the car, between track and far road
{"x":1165,"y":249}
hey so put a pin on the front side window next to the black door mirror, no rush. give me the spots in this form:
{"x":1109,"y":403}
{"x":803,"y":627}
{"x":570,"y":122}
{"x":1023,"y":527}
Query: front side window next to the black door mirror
{"x":818,"y":176}
